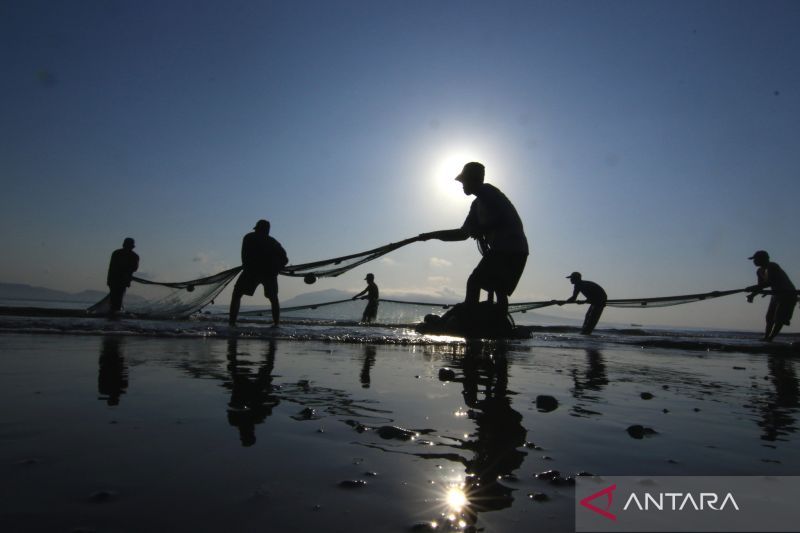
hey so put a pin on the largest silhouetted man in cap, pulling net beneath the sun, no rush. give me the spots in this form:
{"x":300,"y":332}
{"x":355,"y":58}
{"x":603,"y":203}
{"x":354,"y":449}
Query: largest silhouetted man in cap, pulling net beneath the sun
{"x":494,"y":223}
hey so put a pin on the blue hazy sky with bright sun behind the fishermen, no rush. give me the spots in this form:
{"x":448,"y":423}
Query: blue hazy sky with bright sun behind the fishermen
{"x":653,"y":146}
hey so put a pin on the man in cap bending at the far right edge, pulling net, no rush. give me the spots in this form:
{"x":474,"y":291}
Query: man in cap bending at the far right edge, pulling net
{"x":784,"y":294}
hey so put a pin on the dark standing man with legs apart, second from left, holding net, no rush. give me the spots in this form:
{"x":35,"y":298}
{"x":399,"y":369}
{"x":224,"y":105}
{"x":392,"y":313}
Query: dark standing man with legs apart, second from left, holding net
{"x":262,"y":259}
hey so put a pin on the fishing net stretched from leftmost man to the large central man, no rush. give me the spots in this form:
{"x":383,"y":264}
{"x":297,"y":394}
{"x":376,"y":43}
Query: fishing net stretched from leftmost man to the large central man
{"x":154,"y":299}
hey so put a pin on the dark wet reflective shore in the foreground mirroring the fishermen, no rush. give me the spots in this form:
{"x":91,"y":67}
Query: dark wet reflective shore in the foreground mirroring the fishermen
{"x":117,"y":431}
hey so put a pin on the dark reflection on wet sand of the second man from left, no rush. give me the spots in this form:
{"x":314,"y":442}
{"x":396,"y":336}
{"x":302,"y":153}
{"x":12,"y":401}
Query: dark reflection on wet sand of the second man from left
{"x":252,"y":398}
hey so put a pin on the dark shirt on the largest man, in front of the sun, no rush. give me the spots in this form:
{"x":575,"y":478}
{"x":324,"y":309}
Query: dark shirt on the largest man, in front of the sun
{"x":493,"y":218}
